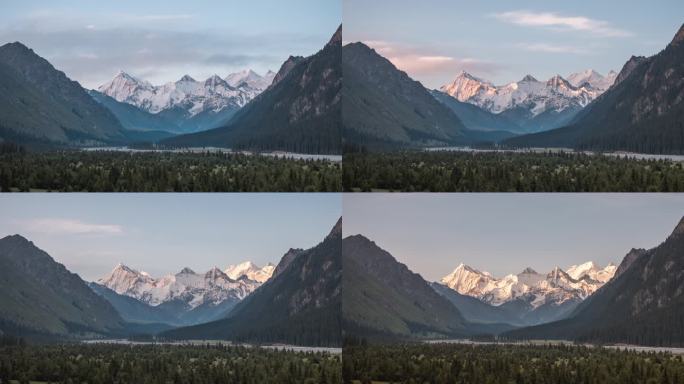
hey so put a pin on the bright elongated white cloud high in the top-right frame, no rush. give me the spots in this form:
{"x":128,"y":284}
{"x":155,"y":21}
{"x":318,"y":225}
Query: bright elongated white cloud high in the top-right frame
{"x":556,"y":21}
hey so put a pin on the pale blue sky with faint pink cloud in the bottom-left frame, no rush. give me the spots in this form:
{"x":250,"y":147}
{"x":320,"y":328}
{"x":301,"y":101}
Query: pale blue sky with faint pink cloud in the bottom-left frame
{"x":162,"y":233}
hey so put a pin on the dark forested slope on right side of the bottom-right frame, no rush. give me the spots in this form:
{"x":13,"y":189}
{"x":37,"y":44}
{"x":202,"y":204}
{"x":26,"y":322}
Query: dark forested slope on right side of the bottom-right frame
{"x":642,"y":304}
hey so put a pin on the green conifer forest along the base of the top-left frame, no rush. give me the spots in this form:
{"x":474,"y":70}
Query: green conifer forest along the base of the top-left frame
{"x":101,"y":171}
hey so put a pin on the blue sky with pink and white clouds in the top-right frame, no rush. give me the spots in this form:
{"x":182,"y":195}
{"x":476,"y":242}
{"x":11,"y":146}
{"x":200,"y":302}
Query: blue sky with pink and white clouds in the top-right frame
{"x":502,"y":41}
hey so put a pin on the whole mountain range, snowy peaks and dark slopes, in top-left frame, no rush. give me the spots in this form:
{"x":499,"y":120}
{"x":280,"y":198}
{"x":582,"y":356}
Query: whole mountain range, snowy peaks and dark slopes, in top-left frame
{"x":296,"y":109}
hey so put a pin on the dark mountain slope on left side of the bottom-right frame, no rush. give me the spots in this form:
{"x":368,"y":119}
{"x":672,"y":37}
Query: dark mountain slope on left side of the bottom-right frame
{"x":383,"y":298}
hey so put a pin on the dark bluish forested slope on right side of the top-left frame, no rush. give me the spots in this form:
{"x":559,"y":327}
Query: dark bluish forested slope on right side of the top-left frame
{"x":299,"y":112}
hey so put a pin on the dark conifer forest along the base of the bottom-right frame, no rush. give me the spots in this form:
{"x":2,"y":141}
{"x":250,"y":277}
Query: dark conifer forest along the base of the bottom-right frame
{"x":473,"y":364}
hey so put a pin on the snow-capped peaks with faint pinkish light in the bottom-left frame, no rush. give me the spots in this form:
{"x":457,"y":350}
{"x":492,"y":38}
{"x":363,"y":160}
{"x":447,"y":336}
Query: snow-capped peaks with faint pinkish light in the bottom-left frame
{"x":193,"y":289}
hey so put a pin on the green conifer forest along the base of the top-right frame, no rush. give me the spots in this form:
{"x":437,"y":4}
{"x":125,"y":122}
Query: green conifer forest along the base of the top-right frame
{"x":450,"y":171}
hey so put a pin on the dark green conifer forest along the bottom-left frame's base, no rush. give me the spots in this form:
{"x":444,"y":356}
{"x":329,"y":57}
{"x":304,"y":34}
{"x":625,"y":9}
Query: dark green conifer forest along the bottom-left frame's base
{"x":108,"y":363}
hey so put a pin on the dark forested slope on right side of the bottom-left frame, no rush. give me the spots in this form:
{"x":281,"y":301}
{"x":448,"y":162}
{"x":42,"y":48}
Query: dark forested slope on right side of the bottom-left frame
{"x":300,"y":304}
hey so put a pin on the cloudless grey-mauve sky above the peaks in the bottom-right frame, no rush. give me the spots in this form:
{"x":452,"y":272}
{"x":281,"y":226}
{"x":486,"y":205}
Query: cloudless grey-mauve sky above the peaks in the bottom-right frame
{"x":505,"y":233}
